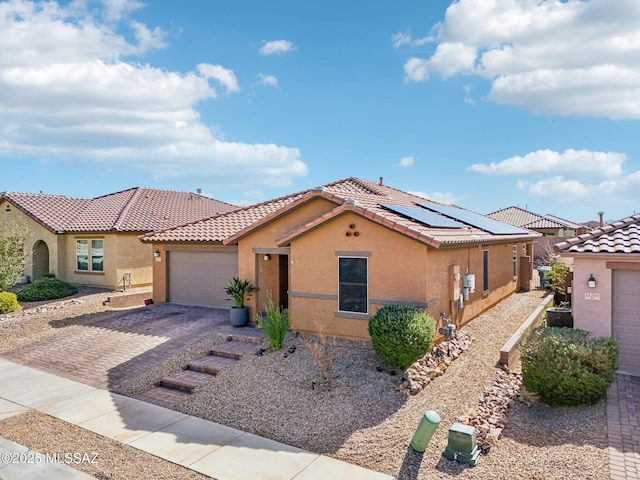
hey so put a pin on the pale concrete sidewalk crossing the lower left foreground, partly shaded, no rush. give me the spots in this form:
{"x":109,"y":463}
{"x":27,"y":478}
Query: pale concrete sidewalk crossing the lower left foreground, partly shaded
{"x":200,"y":445}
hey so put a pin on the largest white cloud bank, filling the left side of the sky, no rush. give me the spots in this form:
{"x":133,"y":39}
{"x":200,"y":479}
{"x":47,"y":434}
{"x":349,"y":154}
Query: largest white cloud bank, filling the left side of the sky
{"x":66,"y":94}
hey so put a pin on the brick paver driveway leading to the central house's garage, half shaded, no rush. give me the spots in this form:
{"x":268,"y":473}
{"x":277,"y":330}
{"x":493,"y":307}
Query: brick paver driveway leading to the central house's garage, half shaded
{"x":111,"y":351}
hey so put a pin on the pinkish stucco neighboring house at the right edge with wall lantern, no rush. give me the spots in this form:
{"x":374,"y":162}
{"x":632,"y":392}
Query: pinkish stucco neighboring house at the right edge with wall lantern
{"x":606,"y":285}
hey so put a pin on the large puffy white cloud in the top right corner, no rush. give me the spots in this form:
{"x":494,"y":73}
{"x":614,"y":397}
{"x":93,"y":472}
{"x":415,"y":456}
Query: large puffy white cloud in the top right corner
{"x":568,"y":58}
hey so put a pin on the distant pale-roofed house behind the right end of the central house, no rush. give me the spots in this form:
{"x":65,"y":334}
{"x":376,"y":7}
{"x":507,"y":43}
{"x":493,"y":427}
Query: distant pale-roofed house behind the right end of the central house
{"x":547,"y":225}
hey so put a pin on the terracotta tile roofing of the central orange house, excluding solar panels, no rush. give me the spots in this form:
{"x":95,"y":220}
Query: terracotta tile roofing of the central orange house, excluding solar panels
{"x":352,"y":194}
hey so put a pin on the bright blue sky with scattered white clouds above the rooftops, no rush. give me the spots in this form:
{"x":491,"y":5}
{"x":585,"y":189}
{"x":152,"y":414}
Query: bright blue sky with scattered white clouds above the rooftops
{"x":480,"y":103}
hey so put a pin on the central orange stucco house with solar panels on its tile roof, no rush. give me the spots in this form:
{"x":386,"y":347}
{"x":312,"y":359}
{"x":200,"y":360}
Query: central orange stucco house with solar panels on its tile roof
{"x":334,"y":255}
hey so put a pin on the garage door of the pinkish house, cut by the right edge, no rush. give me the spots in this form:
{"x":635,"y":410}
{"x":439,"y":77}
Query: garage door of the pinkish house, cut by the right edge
{"x":626,"y":319}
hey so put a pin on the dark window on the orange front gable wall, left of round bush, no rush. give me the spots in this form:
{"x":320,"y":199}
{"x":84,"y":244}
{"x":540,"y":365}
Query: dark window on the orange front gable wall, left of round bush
{"x":352,"y":284}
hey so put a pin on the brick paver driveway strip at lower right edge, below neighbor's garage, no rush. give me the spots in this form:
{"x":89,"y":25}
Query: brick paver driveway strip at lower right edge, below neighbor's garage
{"x":623,"y":427}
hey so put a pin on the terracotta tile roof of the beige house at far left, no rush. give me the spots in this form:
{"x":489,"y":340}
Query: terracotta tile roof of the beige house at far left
{"x":134,"y":210}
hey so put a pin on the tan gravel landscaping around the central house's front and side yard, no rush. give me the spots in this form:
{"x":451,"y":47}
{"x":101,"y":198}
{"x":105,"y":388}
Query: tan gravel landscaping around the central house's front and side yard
{"x":356,"y":412}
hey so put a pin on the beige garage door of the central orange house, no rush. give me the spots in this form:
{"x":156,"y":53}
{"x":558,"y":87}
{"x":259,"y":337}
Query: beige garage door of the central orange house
{"x":200,"y":277}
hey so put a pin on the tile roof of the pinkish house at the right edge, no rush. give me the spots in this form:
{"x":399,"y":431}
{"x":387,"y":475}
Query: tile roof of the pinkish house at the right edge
{"x":622,"y":236}
